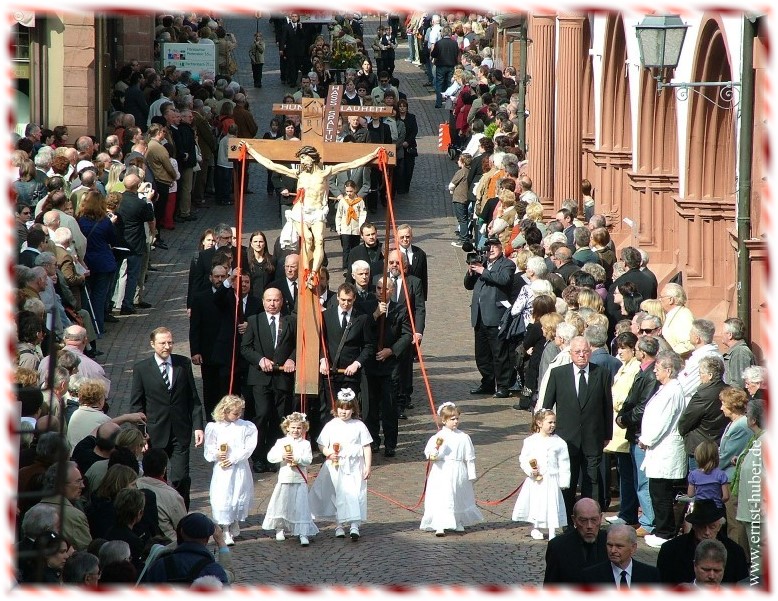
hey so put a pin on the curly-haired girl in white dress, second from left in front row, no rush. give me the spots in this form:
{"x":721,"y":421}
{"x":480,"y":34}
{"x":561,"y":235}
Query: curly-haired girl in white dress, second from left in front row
{"x":288,"y":508}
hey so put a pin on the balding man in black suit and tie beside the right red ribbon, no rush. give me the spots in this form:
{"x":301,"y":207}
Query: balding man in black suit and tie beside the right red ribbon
{"x":417,"y":309}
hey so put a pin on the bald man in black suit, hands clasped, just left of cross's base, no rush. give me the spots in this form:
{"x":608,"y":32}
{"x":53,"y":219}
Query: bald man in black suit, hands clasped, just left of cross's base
{"x":270,"y":345}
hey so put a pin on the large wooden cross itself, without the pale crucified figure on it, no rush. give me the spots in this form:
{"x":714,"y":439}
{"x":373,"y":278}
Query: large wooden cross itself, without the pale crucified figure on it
{"x":319,"y":128}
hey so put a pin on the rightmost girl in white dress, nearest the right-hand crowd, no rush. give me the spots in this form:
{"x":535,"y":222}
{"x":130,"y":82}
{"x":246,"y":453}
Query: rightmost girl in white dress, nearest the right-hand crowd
{"x":545,"y":460}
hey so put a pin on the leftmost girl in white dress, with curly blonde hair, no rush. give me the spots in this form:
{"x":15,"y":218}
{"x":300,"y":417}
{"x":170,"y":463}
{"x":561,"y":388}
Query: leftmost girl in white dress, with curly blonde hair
{"x":229,"y":442}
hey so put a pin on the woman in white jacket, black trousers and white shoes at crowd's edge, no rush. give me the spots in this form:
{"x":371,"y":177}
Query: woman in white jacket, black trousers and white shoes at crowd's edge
{"x":665,"y":461}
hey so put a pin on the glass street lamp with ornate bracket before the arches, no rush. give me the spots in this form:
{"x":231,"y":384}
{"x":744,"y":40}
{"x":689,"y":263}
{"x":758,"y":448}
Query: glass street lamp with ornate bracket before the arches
{"x":660,"y":39}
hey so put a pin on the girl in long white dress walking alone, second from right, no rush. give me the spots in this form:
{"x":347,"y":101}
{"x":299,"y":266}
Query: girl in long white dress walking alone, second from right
{"x":450,"y":501}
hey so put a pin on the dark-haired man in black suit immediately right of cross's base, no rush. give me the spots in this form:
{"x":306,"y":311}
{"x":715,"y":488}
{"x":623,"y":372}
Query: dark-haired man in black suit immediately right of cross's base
{"x":349,"y":342}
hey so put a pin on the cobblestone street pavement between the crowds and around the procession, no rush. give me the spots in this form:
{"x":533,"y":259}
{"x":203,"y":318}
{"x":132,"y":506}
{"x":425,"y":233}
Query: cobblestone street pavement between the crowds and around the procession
{"x":392,"y":549}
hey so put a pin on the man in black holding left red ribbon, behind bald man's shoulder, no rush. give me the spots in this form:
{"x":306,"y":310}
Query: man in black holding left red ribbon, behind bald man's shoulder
{"x":226,"y":346}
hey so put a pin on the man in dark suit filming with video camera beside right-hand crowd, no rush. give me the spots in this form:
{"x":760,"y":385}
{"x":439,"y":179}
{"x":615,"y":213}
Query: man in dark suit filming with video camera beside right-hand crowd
{"x":489,"y":276}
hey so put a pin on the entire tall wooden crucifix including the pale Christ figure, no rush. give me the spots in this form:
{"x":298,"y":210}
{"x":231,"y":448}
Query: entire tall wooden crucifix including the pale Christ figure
{"x":320,"y":156}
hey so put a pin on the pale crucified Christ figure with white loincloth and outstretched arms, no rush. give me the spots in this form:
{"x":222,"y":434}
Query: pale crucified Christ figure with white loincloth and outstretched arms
{"x":310,"y":205}
